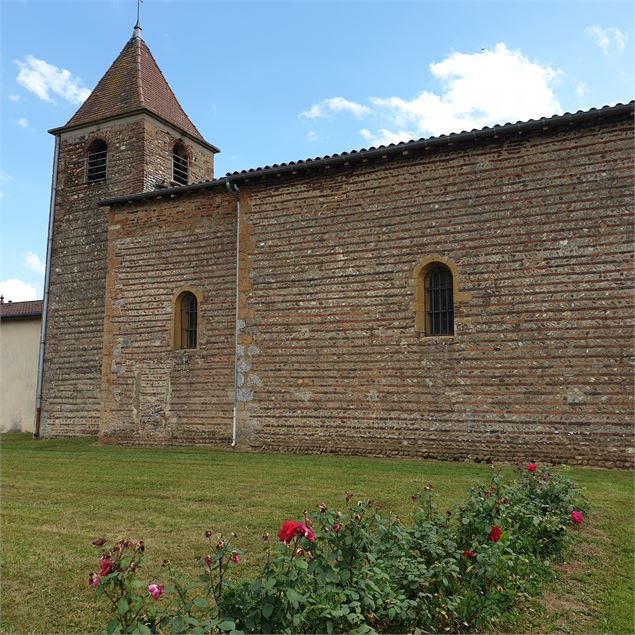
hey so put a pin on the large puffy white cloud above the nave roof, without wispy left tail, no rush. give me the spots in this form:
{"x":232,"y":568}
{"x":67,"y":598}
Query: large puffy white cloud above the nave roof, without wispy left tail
{"x":479,"y":89}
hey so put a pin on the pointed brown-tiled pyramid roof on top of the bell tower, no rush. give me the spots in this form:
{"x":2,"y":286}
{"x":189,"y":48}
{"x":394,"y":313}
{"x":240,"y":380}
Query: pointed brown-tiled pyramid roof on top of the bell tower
{"x":133,"y":82}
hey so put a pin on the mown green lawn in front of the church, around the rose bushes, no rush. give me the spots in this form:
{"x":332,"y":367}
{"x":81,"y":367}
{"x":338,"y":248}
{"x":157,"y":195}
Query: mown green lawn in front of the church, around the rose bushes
{"x":58,"y":495}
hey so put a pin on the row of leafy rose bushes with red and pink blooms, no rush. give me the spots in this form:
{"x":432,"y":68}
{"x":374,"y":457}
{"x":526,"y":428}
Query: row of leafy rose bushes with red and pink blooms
{"x":360,"y":570}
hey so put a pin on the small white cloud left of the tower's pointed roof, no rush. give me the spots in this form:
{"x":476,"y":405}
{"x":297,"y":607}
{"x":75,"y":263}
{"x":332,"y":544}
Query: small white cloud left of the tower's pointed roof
{"x":43,"y":78}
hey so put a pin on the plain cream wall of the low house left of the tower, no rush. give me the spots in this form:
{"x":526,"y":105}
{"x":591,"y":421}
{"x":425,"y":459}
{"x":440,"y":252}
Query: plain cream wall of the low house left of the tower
{"x":19,"y":342}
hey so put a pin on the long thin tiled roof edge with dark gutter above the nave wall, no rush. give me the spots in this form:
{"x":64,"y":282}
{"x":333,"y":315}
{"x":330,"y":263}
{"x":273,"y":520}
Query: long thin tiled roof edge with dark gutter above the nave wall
{"x":402,"y":148}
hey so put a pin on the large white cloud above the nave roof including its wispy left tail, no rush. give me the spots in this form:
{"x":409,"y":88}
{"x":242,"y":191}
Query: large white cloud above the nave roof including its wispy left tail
{"x":490,"y":87}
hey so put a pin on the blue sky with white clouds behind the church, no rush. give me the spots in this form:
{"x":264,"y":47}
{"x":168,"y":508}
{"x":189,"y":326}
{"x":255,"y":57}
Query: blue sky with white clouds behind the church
{"x":271,"y":82}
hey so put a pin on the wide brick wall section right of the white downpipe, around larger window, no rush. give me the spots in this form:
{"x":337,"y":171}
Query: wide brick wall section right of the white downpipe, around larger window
{"x":540,"y":229}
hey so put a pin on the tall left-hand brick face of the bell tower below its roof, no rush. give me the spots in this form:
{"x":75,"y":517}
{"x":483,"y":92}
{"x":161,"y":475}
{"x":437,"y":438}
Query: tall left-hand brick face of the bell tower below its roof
{"x":72,"y":372}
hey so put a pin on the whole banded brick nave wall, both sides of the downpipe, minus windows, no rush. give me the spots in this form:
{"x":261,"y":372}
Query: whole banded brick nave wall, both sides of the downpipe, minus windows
{"x":539,"y":229}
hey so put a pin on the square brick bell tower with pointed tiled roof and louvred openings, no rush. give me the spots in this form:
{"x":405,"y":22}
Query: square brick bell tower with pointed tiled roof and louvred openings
{"x":129,"y":136}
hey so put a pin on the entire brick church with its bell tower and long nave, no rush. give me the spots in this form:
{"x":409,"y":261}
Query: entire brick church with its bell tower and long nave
{"x":465,"y":297}
